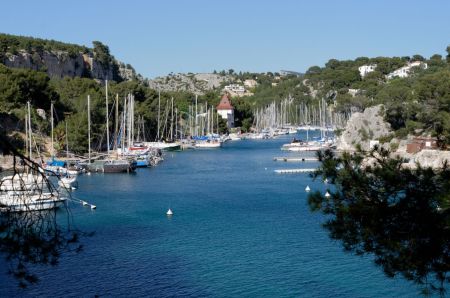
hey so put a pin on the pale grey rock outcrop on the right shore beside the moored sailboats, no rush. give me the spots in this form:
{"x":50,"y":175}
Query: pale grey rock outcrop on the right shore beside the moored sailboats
{"x":362,"y":128}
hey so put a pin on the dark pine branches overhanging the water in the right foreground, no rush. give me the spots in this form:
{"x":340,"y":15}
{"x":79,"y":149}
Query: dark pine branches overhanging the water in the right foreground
{"x":398,"y":215}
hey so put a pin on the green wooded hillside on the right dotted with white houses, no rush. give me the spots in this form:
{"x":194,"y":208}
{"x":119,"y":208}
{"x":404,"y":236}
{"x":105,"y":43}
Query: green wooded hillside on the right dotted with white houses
{"x":415,"y":91}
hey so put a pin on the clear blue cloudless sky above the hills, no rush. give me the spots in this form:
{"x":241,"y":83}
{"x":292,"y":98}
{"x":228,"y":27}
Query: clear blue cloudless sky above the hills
{"x":158,"y":37}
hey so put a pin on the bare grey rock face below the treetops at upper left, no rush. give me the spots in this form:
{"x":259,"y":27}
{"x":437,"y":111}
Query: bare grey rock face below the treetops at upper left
{"x":59,"y":64}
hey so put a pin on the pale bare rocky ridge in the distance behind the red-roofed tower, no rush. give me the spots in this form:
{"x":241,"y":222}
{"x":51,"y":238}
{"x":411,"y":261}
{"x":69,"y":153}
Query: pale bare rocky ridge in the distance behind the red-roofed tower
{"x":195,"y":83}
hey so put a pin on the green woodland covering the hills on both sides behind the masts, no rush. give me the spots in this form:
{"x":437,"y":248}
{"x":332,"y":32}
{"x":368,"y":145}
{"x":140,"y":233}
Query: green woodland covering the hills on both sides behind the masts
{"x":418,"y":104}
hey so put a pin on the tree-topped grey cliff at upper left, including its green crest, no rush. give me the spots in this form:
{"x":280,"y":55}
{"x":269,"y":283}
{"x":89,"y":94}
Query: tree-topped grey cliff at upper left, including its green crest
{"x":60,"y":60}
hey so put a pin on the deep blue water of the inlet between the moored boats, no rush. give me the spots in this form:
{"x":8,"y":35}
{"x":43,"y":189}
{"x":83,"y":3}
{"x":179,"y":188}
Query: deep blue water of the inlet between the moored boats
{"x":238,"y":230}
